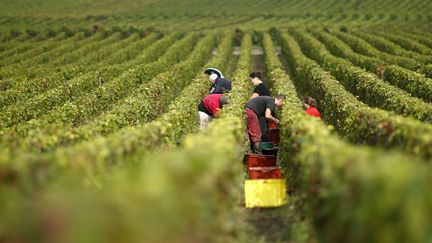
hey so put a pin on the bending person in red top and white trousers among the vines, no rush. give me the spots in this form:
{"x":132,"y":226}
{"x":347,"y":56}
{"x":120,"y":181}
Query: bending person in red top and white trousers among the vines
{"x":209,"y":108}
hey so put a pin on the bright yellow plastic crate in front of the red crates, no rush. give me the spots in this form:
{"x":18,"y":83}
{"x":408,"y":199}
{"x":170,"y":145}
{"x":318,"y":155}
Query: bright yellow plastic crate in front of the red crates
{"x":265,"y":193}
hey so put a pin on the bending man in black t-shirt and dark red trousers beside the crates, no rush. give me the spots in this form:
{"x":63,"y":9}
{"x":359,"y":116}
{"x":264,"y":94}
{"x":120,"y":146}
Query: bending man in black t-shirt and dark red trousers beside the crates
{"x":261,"y":106}
